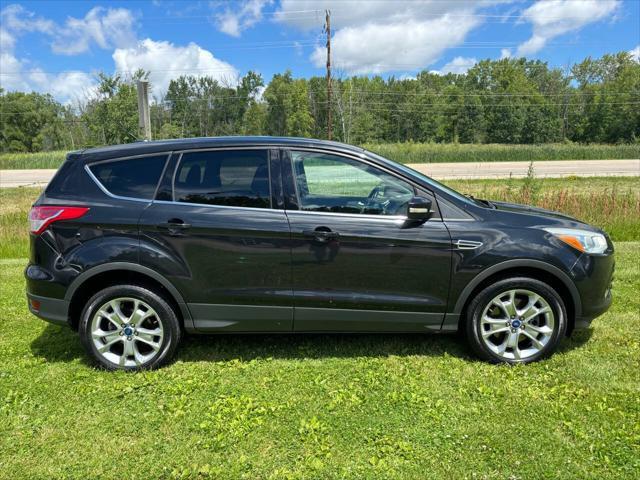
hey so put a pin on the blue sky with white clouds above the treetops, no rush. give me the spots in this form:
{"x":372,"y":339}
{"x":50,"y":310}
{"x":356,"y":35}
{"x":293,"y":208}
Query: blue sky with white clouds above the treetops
{"x":58,"y":47}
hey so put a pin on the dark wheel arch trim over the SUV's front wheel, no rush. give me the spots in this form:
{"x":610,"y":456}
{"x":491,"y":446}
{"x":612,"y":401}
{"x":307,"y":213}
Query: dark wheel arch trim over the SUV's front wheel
{"x":535,"y":269}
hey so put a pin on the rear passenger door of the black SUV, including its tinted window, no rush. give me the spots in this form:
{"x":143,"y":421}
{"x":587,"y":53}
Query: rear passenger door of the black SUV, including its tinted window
{"x":216,"y":232}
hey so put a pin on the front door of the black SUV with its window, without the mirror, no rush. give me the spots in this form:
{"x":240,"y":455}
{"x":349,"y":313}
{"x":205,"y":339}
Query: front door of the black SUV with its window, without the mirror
{"x":357,"y":263}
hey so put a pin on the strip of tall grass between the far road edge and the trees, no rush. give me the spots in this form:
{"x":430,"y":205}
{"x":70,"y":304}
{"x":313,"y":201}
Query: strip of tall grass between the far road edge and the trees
{"x":414,"y":153}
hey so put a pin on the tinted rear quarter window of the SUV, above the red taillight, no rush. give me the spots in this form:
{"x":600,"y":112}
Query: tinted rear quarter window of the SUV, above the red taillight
{"x":134,"y":177}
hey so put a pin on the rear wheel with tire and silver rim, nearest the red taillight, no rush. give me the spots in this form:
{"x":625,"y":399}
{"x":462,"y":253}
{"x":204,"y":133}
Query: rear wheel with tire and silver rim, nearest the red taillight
{"x":109,"y":333}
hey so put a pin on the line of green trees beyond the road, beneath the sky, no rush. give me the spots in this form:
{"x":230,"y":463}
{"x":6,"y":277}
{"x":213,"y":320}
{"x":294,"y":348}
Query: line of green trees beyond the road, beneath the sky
{"x":510,"y":101}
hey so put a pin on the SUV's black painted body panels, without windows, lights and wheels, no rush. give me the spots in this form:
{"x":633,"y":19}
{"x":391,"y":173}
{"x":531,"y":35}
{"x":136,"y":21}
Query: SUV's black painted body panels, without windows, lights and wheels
{"x":253,"y":270}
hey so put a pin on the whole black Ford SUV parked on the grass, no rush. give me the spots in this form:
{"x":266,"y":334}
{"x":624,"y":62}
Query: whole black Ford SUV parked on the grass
{"x":133,"y":245}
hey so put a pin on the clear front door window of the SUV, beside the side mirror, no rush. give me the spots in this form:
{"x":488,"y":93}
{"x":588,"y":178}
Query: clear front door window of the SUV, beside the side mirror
{"x":331,"y":183}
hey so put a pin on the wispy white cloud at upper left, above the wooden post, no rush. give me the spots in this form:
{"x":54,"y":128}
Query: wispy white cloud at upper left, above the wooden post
{"x":107,"y":28}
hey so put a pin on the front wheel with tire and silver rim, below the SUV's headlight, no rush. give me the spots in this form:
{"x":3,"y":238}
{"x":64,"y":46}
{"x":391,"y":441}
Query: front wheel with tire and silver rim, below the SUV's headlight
{"x":497,"y":333}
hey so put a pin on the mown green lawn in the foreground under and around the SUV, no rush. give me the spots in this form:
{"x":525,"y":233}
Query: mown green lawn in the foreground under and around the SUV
{"x":322,"y":406}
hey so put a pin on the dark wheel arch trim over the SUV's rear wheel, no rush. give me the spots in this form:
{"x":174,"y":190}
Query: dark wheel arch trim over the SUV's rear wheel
{"x":102,"y":276}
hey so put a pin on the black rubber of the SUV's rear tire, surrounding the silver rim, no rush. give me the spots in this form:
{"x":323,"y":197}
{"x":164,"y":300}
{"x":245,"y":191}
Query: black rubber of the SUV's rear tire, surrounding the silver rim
{"x":165,"y":315}
